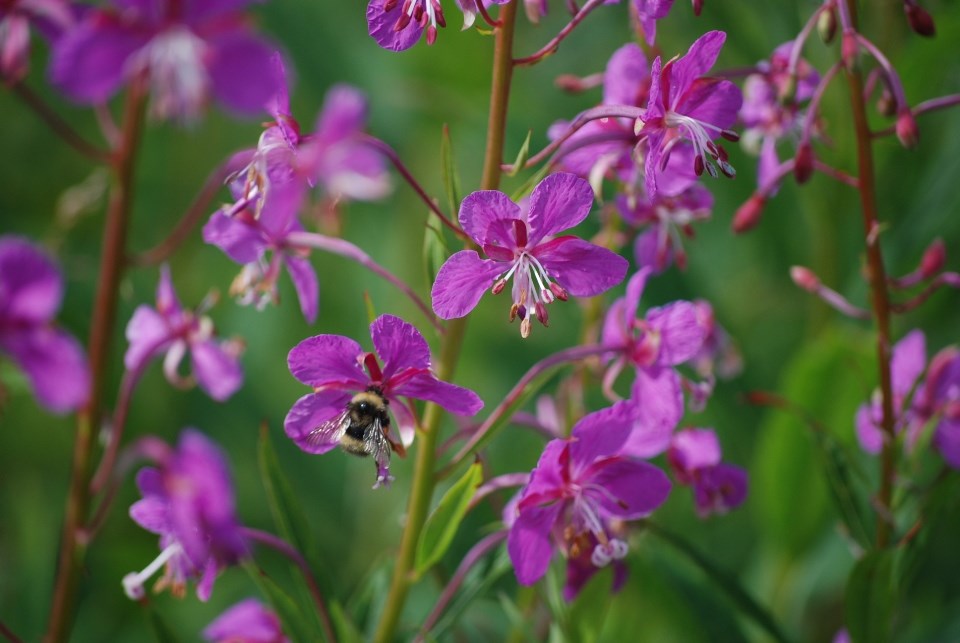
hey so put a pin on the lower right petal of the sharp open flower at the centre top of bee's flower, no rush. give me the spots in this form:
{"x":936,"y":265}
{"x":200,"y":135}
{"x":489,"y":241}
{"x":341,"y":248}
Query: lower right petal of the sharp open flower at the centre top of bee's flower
{"x":582,"y":268}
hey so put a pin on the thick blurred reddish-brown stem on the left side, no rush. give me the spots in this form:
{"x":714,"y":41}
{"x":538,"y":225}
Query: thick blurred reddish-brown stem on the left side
{"x":72,"y":548}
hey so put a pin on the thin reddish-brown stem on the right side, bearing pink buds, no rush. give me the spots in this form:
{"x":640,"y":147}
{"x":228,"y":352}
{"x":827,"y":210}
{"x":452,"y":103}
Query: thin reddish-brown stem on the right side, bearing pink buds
{"x":879,"y":297}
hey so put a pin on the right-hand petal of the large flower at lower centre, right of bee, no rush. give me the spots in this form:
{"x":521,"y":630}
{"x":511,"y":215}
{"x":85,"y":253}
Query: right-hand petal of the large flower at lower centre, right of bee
{"x":631,"y":488}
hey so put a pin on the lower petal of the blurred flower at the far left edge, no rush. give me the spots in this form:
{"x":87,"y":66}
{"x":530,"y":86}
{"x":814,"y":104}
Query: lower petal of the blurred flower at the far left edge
{"x":55,"y":364}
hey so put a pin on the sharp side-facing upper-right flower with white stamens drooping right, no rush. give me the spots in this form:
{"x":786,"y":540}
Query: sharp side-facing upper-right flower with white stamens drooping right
{"x":687,"y":108}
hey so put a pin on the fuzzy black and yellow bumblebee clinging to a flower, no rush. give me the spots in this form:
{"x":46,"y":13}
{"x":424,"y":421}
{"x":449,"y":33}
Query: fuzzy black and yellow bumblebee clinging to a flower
{"x":362,"y":429}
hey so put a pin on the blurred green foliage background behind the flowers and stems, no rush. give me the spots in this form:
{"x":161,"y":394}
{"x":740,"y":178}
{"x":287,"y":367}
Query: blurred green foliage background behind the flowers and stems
{"x":785,"y":544}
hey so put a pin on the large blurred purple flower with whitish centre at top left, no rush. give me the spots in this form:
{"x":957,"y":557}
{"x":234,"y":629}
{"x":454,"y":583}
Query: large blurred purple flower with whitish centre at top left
{"x":189,"y":49}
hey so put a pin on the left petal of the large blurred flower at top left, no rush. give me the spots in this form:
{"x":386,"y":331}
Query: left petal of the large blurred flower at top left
{"x":89,"y":62}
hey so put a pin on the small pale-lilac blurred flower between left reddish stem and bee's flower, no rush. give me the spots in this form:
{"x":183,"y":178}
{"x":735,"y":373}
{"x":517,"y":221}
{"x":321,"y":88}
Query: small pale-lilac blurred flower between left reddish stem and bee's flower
{"x":169,"y":329}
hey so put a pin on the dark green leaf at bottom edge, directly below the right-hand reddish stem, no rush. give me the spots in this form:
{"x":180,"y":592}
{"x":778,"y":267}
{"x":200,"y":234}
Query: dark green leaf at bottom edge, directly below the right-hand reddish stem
{"x":871,"y":598}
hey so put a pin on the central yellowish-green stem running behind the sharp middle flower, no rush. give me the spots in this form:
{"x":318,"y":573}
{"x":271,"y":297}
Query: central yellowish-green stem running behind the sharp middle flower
{"x":424,"y":479}
